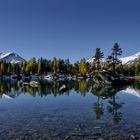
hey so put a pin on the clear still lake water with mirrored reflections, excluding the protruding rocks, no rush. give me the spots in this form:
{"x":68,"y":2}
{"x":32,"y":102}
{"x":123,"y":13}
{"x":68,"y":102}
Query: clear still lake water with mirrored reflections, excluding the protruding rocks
{"x":80,"y":112}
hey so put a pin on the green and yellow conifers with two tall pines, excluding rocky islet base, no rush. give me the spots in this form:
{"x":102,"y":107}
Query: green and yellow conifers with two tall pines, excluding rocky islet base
{"x":82,"y":67}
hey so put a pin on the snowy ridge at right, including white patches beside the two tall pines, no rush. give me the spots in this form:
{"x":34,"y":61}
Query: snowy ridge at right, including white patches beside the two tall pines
{"x":125,"y":60}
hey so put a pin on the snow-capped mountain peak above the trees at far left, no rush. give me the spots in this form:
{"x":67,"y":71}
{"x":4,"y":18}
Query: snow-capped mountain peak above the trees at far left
{"x":11,"y":57}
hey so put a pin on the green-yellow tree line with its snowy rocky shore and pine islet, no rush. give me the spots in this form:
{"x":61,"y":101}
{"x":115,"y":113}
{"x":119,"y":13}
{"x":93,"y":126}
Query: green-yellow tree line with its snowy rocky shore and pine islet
{"x":102,"y":69}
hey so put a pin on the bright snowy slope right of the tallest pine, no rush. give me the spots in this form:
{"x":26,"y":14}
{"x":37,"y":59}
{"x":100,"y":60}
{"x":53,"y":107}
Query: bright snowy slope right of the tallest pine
{"x":130,"y":59}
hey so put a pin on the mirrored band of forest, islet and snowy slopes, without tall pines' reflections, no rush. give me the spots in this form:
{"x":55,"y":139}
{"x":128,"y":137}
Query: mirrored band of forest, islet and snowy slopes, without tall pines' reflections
{"x":82,"y":87}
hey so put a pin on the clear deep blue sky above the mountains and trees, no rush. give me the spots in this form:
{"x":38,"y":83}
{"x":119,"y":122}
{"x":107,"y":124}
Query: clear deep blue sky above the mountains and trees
{"x":68,"y":28}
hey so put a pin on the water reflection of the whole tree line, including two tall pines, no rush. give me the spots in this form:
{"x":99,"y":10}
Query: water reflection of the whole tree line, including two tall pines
{"x":82,"y":87}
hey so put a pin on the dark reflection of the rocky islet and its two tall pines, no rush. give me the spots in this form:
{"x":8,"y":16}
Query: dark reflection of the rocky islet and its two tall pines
{"x":112,"y":107}
